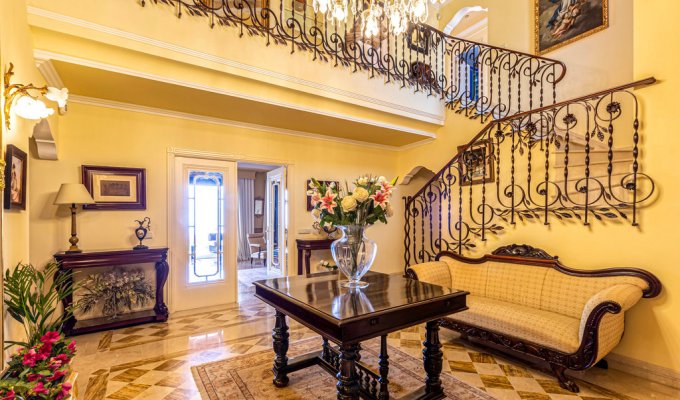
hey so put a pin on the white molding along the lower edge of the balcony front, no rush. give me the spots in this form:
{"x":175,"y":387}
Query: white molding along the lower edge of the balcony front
{"x":41,"y":56}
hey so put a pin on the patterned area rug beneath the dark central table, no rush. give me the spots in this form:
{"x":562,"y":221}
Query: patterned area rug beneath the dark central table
{"x":250,"y":377}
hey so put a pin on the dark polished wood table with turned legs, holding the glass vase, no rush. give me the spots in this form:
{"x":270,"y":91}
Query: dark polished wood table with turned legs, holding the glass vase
{"x":348,"y":317}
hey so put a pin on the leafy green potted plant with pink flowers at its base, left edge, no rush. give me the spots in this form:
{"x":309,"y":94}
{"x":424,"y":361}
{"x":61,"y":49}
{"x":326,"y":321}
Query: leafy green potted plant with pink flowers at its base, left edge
{"x":40,"y":368}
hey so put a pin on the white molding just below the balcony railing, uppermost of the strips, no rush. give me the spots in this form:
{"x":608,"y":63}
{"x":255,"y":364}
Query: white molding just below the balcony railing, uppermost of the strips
{"x":381,"y":104}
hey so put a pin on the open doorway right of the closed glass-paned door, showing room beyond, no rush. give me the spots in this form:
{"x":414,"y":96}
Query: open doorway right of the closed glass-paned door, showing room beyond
{"x":262,"y":224}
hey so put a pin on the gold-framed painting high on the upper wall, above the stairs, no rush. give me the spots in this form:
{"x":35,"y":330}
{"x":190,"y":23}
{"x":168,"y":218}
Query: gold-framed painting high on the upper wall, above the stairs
{"x":560,"y":22}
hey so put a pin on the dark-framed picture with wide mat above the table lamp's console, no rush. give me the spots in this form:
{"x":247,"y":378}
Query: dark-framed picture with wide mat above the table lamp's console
{"x":115,"y":188}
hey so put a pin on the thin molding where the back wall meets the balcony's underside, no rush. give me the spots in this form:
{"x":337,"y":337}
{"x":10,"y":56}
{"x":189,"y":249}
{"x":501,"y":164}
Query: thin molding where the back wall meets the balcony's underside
{"x":92,"y":101}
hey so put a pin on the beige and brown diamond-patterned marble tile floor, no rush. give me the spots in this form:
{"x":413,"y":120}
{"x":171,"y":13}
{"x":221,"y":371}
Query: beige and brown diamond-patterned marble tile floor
{"x":153,"y":361}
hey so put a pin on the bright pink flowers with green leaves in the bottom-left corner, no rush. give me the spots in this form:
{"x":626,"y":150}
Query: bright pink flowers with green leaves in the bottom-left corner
{"x":39,"y":372}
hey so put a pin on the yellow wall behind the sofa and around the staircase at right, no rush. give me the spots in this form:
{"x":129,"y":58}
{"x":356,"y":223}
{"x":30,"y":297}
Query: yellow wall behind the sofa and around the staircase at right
{"x":652,"y":327}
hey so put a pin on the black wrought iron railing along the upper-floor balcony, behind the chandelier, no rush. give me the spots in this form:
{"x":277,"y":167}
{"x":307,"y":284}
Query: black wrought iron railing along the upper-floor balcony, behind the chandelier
{"x":475,"y":79}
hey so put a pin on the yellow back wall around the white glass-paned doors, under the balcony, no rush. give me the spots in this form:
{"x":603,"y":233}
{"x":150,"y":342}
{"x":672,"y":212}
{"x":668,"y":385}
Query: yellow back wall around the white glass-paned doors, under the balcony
{"x":102,"y":136}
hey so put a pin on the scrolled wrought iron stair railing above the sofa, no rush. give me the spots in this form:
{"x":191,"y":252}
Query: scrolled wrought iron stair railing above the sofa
{"x":537,"y":165}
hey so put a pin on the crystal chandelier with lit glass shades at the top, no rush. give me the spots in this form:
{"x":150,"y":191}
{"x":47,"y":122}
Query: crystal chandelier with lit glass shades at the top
{"x":398,"y":13}
